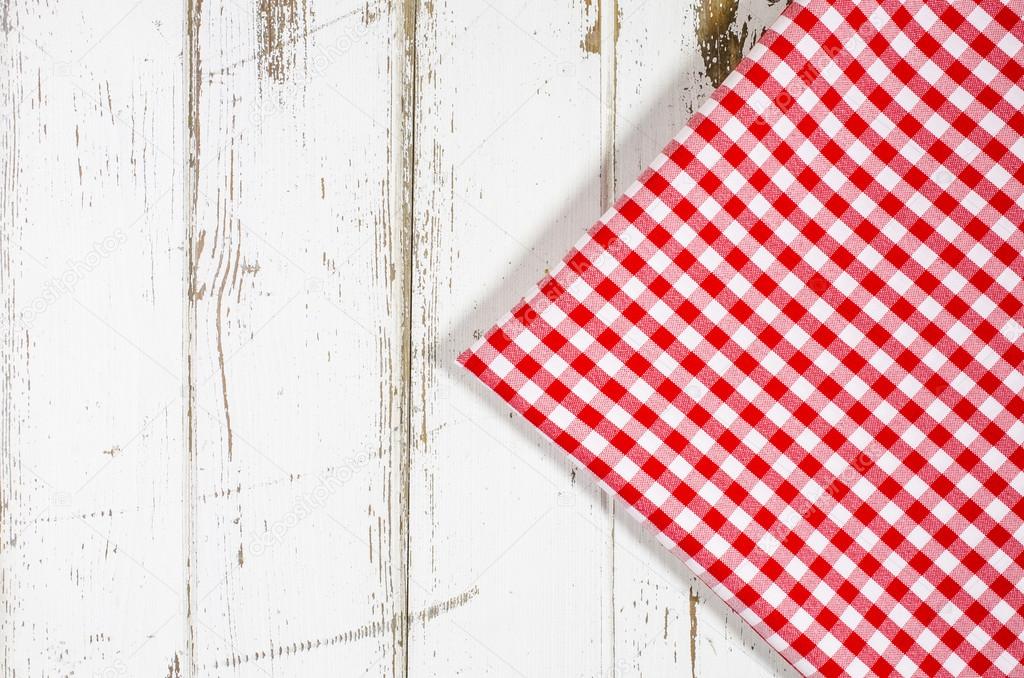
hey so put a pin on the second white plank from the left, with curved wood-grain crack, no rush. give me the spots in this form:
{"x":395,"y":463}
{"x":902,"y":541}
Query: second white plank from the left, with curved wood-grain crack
{"x":296,"y":357}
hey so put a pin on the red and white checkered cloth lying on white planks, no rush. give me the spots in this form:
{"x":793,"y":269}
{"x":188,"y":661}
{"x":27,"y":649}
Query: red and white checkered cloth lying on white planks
{"x":795,"y":346}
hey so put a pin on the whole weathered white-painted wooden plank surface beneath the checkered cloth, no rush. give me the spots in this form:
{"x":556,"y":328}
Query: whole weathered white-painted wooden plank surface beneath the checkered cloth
{"x":242,"y":243}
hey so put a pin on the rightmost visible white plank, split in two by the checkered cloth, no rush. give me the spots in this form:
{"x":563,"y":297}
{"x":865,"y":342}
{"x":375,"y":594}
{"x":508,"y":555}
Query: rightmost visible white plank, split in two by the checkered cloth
{"x":669,"y":58}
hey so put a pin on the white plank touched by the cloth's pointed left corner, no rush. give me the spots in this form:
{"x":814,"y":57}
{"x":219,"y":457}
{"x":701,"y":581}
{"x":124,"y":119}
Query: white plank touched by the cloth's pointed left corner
{"x":508,"y":153}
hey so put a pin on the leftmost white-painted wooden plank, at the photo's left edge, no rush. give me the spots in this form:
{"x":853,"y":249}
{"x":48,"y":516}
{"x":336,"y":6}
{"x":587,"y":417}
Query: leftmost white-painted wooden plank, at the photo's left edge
{"x":91,"y":338}
